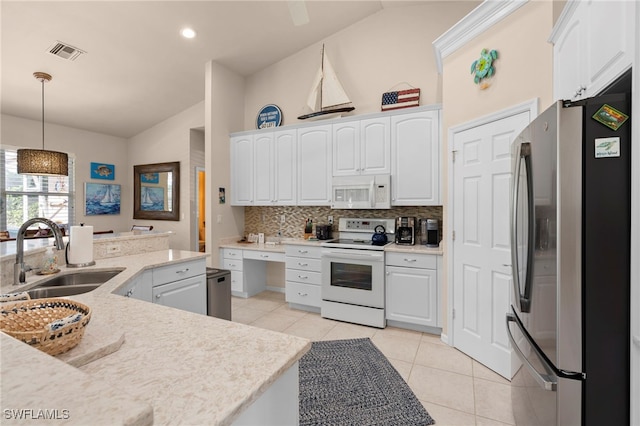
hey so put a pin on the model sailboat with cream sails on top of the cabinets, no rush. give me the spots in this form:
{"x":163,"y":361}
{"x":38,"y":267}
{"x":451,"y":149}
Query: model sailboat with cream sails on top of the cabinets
{"x":327,"y":96}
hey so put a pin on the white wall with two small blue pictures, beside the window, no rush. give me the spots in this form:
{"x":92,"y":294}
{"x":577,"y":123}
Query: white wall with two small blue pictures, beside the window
{"x":86,"y":147}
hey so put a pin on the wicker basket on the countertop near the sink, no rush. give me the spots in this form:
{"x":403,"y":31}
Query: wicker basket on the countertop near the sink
{"x":51,"y":325}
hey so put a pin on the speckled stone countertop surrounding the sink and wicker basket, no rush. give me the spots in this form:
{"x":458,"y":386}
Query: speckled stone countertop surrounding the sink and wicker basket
{"x":190,"y":368}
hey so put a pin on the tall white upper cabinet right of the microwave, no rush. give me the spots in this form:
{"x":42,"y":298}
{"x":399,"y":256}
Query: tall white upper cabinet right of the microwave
{"x":415,"y":159}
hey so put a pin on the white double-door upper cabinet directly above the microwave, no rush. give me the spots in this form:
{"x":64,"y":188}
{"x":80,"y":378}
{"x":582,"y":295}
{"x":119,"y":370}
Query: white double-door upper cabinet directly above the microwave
{"x":362,"y":147}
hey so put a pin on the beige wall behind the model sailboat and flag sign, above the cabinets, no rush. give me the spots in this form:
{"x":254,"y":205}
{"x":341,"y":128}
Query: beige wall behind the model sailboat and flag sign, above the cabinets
{"x":376,"y":55}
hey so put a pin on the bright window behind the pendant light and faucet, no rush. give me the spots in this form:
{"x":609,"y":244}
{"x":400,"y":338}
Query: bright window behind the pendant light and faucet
{"x":25,"y":196}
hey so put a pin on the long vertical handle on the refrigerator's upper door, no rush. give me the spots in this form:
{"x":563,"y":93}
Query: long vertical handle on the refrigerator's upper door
{"x":523,"y":153}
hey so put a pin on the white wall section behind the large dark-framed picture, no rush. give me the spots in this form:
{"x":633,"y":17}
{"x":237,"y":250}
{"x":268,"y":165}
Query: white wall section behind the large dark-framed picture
{"x":166,"y":142}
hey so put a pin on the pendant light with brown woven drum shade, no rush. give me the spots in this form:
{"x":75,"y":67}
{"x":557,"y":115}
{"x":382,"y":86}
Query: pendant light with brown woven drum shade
{"x":40,"y":161}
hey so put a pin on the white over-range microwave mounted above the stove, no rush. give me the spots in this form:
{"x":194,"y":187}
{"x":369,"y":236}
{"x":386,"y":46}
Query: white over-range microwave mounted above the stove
{"x":361,"y":192}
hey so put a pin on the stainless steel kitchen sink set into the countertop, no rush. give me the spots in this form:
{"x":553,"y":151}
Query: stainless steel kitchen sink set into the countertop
{"x":73,"y":283}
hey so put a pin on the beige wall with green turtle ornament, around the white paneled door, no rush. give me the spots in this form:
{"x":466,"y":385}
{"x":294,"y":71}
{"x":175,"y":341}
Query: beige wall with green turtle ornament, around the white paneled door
{"x":523,"y":72}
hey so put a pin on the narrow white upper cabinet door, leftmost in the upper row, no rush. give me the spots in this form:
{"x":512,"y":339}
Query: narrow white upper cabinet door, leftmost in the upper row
{"x":242,"y":169}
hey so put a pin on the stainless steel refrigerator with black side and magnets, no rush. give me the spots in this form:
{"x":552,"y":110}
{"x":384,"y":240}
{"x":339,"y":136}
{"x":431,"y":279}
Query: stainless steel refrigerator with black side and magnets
{"x":570,"y":233}
